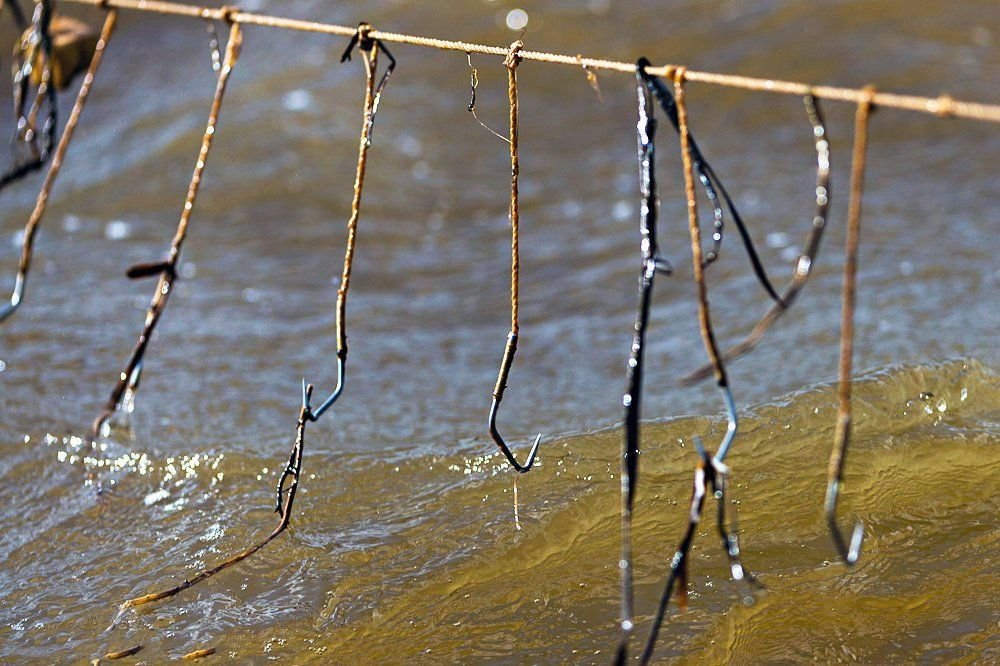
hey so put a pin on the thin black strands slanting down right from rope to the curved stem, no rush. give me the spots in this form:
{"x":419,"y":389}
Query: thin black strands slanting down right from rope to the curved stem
{"x":710,"y":182}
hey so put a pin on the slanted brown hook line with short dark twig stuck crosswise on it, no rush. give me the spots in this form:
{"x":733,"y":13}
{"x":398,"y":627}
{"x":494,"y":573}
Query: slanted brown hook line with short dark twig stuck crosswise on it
{"x":123,"y":394}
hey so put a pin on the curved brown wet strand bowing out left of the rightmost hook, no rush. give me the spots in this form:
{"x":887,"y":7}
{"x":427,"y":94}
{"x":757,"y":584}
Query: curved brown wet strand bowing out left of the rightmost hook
{"x":806,"y":261}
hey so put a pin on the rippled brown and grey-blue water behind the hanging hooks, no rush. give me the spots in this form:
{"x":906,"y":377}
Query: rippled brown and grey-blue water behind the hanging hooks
{"x":404,"y":544}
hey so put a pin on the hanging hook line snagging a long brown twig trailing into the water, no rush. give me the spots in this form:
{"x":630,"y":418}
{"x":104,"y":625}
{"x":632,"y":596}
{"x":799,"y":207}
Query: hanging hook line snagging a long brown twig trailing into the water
{"x":369,"y":48}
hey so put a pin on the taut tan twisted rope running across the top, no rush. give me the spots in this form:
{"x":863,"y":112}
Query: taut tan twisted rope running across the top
{"x":943,"y":105}
